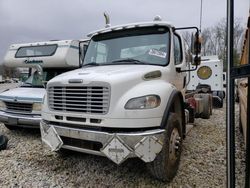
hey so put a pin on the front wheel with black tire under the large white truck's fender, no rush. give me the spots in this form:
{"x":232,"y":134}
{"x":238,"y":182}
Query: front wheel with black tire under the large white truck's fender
{"x":166,"y":163}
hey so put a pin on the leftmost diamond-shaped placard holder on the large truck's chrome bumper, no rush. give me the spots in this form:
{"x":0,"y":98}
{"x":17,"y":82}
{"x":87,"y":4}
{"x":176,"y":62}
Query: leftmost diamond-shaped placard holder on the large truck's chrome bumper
{"x":51,"y":138}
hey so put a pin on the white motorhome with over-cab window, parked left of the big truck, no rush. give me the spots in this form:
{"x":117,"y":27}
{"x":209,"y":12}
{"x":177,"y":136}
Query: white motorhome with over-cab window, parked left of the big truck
{"x":21,"y":107}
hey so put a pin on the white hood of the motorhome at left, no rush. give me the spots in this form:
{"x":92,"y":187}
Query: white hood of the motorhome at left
{"x":23,"y":94}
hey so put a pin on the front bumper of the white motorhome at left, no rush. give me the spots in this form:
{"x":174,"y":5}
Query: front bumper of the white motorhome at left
{"x":21,"y":120}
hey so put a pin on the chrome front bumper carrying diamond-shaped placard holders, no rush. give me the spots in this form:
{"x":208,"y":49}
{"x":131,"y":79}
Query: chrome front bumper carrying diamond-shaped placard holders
{"x":117,"y":146}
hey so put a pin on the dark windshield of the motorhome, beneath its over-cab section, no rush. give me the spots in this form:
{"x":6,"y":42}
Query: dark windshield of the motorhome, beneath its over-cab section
{"x":36,"y":80}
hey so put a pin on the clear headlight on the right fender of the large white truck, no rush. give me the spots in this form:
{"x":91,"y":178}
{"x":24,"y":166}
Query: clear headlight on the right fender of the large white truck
{"x":145,"y":102}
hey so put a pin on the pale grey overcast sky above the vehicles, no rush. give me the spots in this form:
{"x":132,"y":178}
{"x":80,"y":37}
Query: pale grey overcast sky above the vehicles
{"x":40,"y":20}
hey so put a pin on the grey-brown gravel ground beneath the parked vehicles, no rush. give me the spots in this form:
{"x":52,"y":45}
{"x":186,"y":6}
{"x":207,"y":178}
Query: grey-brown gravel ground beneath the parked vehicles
{"x":27,"y":163}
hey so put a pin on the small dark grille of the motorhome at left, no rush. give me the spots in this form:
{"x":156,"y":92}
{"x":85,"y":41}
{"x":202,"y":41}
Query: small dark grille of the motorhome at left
{"x":19,"y":107}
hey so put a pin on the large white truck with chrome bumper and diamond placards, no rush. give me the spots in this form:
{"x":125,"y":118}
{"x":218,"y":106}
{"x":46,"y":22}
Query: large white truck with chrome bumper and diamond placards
{"x":128,"y":99}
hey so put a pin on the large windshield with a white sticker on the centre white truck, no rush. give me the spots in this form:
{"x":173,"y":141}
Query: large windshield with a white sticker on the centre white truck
{"x":148,"y":45}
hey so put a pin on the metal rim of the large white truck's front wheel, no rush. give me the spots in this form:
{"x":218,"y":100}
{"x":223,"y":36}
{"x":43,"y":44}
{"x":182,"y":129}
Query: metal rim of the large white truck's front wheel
{"x":174,"y":145}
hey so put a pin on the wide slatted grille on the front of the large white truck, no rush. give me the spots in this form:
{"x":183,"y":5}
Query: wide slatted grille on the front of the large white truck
{"x":82,"y":99}
